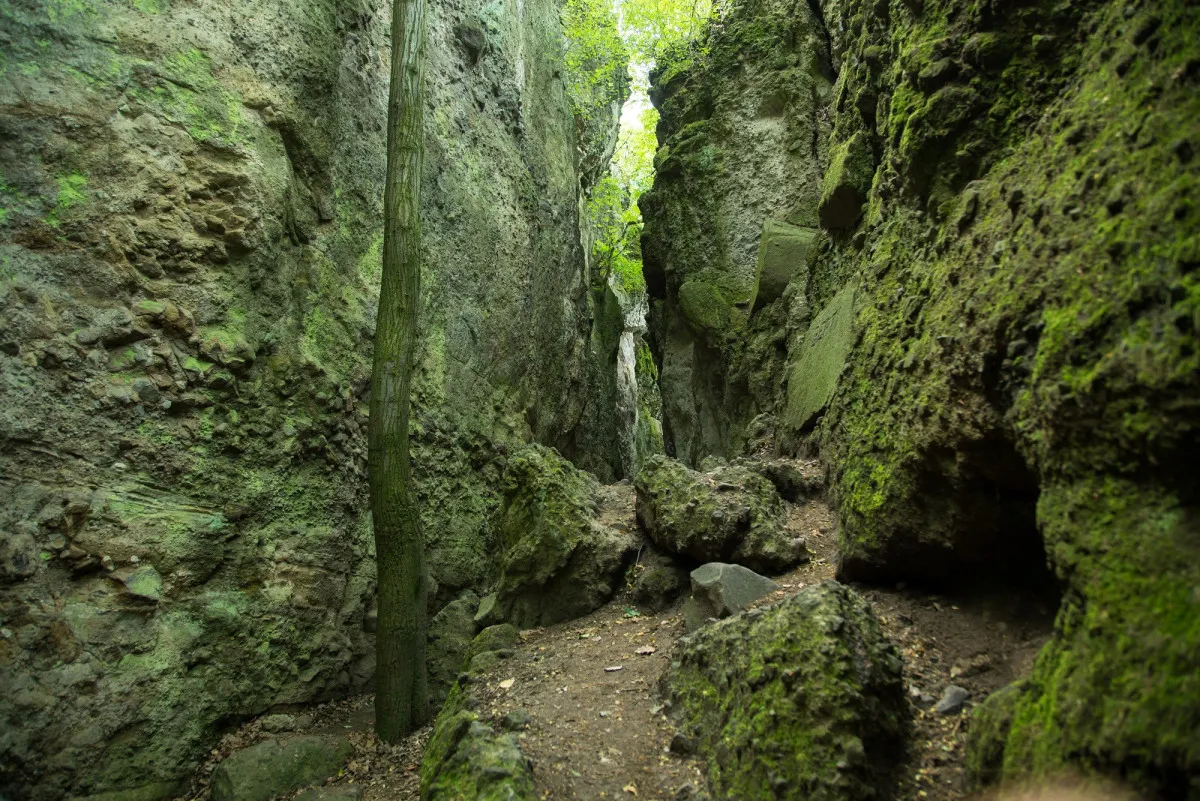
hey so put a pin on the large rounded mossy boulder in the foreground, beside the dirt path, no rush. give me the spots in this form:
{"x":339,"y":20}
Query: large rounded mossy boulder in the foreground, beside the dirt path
{"x":802,"y":700}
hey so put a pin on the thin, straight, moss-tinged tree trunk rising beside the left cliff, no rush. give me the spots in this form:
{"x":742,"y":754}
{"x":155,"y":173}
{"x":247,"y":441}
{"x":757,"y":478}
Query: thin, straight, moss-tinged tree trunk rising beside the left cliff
{"x":401,"y":695}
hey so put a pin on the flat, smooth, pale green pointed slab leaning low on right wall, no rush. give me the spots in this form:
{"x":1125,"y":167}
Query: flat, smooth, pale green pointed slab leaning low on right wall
{"x":814,"y":377}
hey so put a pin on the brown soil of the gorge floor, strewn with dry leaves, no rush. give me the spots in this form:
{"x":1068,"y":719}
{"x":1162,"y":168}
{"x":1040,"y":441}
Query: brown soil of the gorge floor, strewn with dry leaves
{"x":591,"y":686}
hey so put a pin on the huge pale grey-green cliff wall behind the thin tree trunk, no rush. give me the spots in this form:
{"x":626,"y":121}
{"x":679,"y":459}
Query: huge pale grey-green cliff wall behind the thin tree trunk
{"x":191,"y":238}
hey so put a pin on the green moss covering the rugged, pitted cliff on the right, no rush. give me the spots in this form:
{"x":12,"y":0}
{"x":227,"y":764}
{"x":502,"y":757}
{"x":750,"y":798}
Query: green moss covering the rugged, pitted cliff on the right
{"x":1049,"y":308}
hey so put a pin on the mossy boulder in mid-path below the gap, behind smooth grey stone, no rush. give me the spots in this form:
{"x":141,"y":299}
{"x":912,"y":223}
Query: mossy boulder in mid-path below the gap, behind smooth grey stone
{"x":730,"y":514}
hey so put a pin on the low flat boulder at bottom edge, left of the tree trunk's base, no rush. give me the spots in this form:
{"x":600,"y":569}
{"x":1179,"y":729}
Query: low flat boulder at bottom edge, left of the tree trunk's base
{"x":275,"y":767}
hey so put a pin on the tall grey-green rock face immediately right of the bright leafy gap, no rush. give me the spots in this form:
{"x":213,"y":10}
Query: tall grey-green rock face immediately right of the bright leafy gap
{"x":741,"y":147}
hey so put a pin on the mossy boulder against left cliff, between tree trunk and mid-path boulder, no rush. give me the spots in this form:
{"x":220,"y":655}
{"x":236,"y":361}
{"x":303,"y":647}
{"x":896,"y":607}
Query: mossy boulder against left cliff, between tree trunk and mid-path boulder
{"x":559,"y":562}
